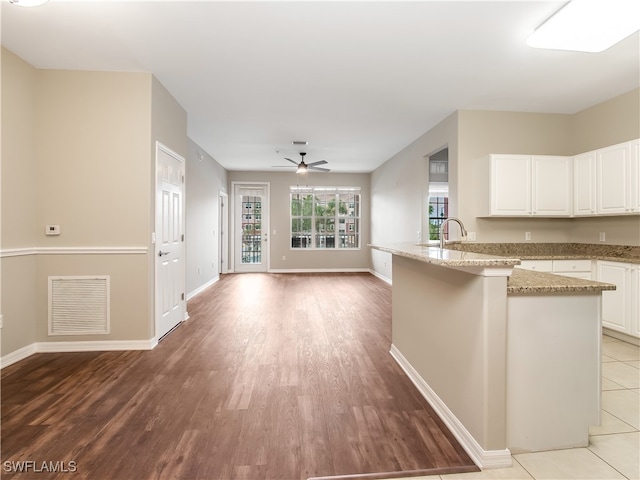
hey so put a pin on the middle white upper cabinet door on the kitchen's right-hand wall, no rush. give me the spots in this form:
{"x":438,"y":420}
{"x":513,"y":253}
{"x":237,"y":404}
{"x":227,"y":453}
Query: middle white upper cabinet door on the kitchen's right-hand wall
{"x":612,"y":167}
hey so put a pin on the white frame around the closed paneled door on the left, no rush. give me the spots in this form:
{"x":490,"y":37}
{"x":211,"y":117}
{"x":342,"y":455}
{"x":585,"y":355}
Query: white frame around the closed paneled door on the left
{"x":156,"y":244}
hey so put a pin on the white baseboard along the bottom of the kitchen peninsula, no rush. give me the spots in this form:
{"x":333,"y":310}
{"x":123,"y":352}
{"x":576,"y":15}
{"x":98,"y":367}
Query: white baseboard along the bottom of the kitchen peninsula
{"x":482,"y":458}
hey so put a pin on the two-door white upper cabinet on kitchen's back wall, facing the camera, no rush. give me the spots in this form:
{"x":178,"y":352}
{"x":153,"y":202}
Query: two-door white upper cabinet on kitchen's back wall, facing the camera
{"x":525,"y":185}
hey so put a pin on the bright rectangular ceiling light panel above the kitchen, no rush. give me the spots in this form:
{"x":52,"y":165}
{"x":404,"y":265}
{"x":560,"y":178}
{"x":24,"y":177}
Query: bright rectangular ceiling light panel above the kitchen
{"x":588,"y":25}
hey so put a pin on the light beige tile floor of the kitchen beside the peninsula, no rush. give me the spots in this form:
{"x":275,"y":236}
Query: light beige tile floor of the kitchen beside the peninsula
{"x":614,"y":446}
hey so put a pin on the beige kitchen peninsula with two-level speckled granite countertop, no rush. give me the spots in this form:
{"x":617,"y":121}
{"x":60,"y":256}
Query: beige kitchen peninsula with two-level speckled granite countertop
{"x":509,"y":359}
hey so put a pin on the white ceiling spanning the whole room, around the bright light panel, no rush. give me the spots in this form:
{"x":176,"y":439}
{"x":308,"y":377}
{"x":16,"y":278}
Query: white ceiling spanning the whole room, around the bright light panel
{"x":358,"y":80}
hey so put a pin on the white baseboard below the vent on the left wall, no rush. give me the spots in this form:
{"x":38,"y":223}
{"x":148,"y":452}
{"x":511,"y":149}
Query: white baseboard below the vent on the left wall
{"x":67,"y":347}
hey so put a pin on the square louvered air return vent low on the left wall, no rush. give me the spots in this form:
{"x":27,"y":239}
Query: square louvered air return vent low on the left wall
{"x":79,"y":305}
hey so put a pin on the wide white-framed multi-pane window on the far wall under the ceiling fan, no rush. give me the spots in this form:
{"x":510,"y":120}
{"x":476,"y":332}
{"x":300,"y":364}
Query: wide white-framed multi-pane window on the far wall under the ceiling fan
{"x":325,"y":217}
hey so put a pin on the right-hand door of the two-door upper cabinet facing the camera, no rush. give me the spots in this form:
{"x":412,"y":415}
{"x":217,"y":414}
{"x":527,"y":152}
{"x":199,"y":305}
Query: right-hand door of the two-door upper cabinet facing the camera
{"x":552,"y":186}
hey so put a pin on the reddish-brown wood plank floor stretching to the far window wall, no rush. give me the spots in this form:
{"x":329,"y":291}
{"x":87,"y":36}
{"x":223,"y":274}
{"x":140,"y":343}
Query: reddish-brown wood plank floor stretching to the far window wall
{"x":274,"y":376}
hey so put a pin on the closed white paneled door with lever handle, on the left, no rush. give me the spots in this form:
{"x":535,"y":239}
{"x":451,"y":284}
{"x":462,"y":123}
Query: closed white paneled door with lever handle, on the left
{"x":169,"y":246}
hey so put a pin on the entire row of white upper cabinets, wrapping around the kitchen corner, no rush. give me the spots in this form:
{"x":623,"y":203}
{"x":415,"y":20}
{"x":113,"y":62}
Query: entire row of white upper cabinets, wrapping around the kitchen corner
{"x":602,"y":182}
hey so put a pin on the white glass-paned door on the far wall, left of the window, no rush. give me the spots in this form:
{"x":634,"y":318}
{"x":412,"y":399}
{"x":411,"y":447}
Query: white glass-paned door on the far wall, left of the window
{"x":251,"y":227}
